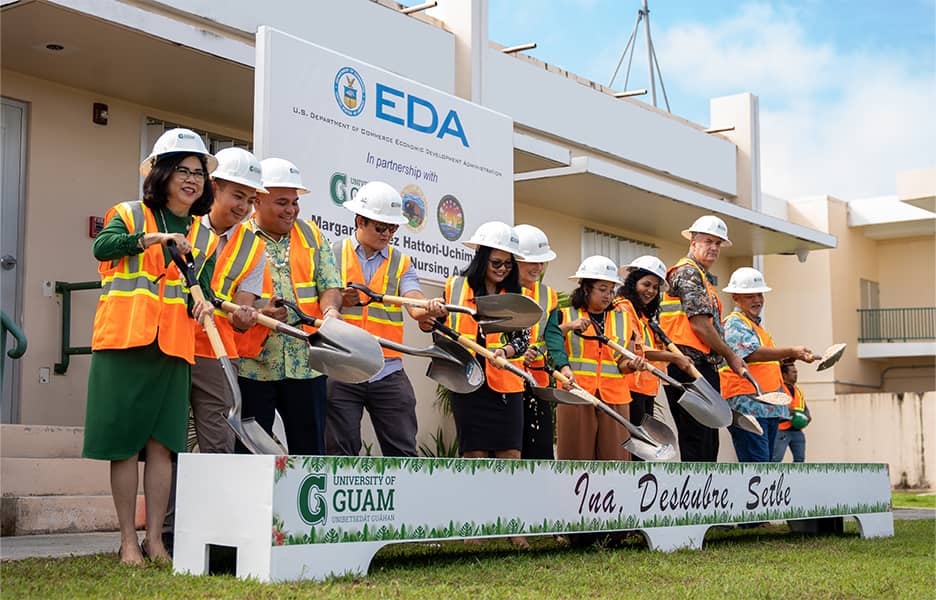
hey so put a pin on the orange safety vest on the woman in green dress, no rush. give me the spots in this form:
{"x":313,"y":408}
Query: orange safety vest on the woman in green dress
{"x":143,"y":298}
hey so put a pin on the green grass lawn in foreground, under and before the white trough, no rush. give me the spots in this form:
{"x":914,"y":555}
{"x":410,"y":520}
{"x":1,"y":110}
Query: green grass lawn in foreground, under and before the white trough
{"x":755,"y":563}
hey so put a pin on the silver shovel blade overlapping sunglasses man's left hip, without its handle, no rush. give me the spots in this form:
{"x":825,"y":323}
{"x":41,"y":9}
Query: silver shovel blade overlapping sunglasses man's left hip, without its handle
{"x":344,"y":352}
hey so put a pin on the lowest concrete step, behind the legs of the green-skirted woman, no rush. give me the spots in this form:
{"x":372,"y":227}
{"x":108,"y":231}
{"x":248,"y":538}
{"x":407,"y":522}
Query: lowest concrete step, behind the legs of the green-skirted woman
{"x":29,"y":515}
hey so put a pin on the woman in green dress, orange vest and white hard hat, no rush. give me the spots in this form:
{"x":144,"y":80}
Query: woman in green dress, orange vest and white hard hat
{"x":144,"y":338}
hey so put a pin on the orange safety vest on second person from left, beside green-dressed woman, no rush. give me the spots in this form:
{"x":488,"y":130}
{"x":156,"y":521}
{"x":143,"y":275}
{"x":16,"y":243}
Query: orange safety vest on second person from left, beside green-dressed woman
{"x":239,"y":256}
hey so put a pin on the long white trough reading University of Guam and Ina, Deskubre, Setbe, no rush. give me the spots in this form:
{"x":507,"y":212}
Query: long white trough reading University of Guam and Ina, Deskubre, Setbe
{"x":295,"y":517}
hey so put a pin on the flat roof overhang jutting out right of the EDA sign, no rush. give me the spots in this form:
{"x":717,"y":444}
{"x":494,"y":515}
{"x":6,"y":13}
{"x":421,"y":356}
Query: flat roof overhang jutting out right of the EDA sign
{"x":601,"y":191}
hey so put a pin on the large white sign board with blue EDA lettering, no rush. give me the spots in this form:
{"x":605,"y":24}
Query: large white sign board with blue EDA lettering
{"x":344,"y":123}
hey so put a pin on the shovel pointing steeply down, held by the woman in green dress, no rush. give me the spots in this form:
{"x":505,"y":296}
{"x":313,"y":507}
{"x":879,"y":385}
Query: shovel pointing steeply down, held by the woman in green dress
{"x":248,"y":431}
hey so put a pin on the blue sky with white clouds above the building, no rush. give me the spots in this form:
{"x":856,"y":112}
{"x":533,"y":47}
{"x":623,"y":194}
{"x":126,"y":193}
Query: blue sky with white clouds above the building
{"x":847,"y":88}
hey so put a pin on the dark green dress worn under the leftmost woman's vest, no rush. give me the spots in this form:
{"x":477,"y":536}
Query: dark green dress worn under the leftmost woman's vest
{"x":138,"y":393}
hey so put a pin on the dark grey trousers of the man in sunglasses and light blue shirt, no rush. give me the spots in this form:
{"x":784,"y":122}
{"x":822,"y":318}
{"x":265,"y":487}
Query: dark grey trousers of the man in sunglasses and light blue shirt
{"x":391,"y":404}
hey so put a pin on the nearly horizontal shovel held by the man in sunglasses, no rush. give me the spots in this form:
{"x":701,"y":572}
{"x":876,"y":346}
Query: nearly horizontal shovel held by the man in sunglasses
{"x":496,"y":313}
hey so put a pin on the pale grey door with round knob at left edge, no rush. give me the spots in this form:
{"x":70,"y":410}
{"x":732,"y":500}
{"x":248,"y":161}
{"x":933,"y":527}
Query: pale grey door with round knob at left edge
{"x":12,"y":182}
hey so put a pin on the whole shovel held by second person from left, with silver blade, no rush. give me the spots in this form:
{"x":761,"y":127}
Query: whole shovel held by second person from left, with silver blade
{"x":337,"y":349}
